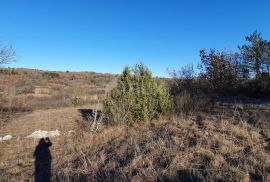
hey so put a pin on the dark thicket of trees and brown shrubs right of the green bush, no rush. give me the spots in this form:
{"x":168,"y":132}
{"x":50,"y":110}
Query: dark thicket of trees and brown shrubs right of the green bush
{"x":222,"y":75}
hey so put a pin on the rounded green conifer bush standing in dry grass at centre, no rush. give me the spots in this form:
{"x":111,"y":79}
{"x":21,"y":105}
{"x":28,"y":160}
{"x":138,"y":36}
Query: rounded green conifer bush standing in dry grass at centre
{"x":137,"y":97}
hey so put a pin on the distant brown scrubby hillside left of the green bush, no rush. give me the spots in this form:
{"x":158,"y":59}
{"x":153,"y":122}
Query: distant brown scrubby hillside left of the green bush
{"x":29,"y":90}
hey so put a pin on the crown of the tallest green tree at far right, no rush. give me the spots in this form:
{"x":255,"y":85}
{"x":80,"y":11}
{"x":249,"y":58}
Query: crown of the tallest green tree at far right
{"x":253,"y":53}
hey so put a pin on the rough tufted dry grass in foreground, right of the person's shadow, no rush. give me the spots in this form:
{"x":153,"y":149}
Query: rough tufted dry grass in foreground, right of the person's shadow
{"x":175,"y":150}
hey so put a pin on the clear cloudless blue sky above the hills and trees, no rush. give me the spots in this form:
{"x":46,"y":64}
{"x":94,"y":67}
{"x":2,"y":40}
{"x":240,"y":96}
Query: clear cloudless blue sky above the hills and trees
{"x":105,"y":36}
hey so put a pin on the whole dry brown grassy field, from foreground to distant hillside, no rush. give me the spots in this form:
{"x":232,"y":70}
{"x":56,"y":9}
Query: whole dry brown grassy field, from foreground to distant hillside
{"x":227,"y":142}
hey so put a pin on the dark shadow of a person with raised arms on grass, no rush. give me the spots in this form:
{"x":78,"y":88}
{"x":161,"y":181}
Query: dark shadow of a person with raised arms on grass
{"x":43,"y":160}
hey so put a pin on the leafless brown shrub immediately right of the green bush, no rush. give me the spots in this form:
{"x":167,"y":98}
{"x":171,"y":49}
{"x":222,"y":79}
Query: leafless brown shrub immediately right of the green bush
{"x":188,"y":92}
